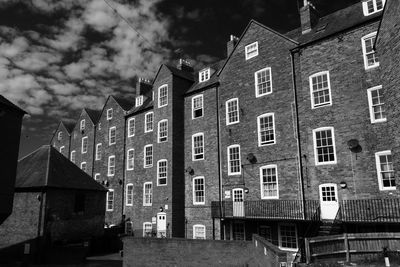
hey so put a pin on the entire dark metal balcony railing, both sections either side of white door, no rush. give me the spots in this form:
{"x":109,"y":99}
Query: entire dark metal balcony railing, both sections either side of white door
{"x":357,"y":210}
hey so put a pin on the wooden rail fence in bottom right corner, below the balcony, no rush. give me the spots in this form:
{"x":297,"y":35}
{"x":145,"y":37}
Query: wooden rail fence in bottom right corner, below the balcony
{"x":350,"y":244}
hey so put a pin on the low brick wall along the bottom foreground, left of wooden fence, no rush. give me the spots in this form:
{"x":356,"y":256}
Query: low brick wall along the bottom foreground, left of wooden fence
{"x":190,"y":252}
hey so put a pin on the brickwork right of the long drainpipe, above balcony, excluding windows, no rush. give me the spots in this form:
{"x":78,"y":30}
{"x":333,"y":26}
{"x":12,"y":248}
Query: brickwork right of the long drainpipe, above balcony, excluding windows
{"x":349,"y":115}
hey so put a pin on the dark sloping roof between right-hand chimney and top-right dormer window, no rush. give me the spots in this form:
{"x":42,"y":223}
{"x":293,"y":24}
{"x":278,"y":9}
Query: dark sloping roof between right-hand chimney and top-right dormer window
{"x":333,"y":23}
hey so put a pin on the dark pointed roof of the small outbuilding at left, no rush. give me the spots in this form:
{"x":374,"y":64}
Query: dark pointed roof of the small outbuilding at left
{"x":47,"y":168}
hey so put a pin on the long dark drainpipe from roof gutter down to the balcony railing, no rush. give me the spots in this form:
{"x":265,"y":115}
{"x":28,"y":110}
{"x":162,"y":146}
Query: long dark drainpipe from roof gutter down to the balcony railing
{"x":303,"y":201}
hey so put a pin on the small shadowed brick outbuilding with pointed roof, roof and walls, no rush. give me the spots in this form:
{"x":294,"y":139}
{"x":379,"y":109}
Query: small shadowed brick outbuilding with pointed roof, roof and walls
{"x":54,"y":202}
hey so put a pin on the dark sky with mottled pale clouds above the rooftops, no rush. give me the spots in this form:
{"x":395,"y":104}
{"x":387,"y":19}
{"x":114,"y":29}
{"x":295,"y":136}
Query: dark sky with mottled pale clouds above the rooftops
{"x":57,"y":57}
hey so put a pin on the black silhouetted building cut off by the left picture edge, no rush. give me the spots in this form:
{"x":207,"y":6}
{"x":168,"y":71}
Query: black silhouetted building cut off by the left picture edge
{"x":11,"y":120}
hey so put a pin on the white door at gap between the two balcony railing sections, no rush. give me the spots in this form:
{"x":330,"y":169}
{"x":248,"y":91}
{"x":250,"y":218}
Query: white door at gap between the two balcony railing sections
{"x":328,"y":201}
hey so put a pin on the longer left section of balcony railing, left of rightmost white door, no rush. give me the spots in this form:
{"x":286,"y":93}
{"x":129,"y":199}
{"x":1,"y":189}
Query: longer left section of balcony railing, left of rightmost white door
{"x":266,"y":209}
